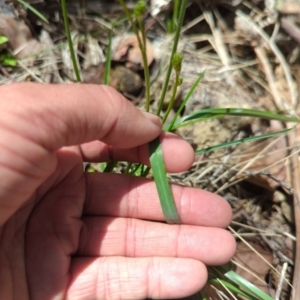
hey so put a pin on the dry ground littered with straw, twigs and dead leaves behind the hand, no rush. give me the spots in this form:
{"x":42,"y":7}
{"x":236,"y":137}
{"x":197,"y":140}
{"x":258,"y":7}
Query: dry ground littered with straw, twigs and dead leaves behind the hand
{"x":250,"y":51}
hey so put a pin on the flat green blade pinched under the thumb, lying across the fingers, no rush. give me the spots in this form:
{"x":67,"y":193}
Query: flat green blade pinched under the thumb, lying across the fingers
{"x":162,"y":184}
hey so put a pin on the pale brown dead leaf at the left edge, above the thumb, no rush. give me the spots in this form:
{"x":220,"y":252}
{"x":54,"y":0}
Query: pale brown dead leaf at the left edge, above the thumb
{"x":19,"y":37}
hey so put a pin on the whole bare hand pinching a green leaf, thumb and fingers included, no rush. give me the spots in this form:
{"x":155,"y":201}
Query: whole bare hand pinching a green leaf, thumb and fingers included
{"x":67,"y":234}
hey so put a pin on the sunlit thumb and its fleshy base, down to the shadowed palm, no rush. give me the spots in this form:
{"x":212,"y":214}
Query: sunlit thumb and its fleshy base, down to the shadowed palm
{"x":39,"y":119}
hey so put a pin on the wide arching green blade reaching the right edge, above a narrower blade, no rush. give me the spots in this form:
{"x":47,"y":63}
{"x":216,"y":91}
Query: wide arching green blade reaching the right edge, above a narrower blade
{"x":205,"y":114}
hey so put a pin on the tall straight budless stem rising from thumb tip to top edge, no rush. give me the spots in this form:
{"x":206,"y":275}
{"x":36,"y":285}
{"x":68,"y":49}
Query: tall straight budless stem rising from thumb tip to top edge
{"x":174,"y":49}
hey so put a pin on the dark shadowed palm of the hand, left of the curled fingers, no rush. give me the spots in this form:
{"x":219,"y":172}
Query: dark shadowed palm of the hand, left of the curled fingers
{"x":41,"y":238}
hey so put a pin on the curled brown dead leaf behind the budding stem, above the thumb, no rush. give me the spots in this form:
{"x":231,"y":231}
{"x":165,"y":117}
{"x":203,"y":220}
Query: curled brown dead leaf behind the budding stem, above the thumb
{"x":126,"y":49}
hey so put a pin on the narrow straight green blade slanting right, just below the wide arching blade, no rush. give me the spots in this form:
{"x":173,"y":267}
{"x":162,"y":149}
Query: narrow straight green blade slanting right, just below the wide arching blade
{"x":241,"y":141}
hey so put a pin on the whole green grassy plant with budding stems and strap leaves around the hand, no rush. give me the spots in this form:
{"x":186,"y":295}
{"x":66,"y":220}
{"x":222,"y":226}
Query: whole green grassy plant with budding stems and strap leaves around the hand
{"x":219,"y":276}
